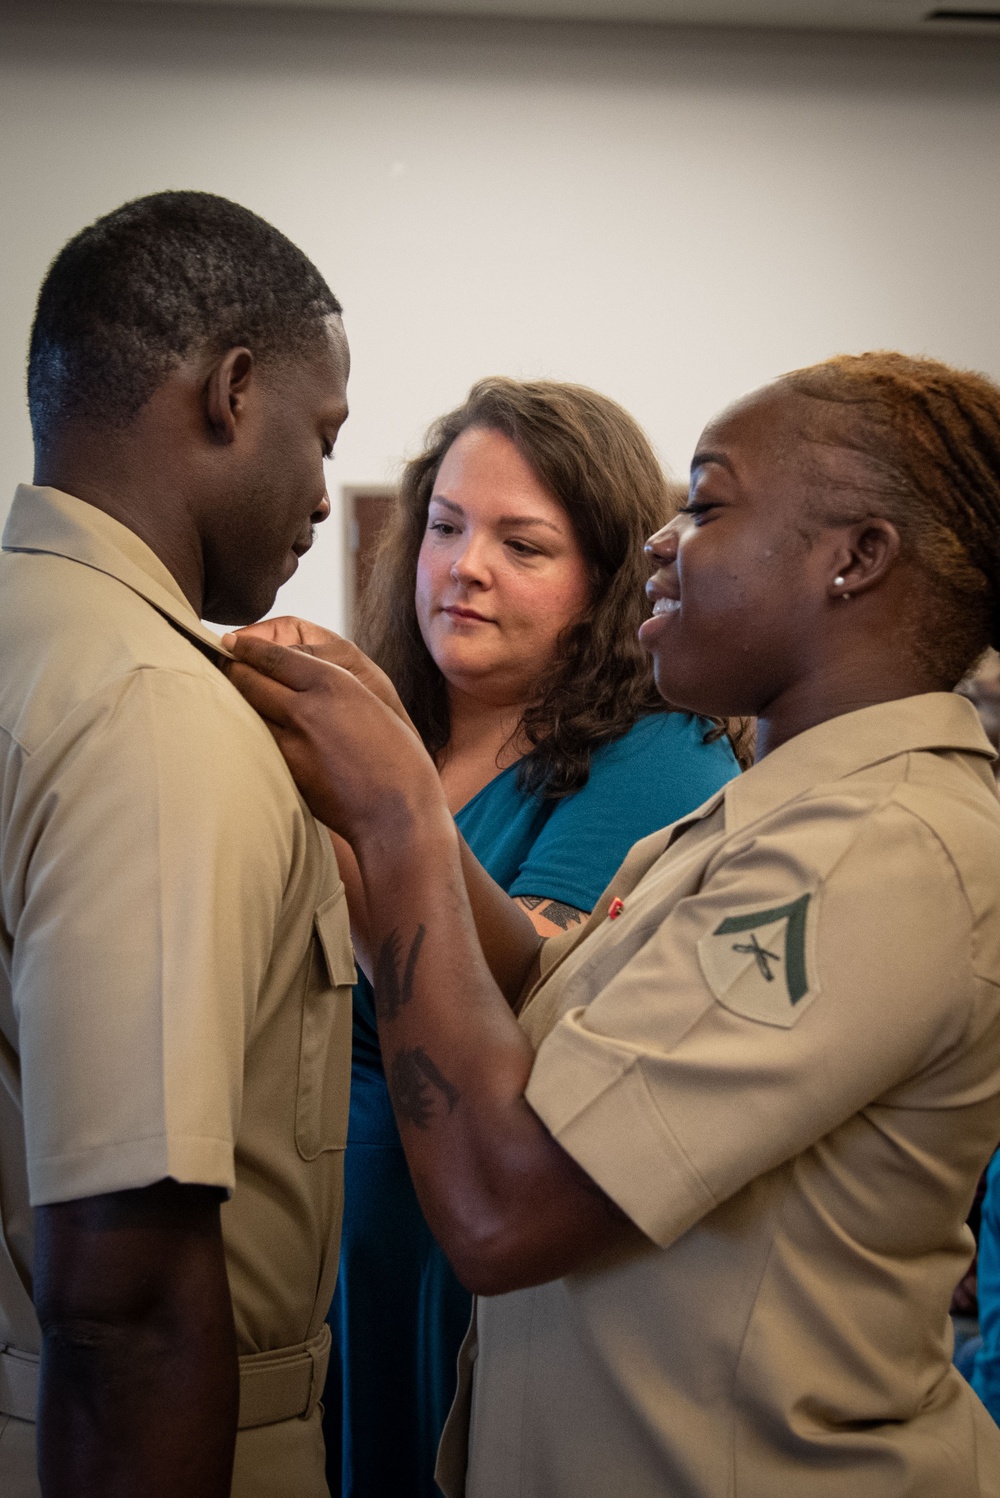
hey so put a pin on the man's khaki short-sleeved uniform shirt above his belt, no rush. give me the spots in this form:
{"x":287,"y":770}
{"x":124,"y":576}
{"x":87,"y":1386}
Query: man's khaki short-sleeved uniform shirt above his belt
{"x":174,"y":950}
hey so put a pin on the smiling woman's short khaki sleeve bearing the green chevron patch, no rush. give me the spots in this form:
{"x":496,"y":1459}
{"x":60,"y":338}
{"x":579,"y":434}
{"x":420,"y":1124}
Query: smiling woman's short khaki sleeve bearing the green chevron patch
{"x":760,"y":1015}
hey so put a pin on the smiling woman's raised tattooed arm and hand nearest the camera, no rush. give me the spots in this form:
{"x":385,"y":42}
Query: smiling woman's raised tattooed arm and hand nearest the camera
{"x":504,"y":1199}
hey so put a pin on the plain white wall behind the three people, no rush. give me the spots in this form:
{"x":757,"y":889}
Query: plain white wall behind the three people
{"x":670,"y":216}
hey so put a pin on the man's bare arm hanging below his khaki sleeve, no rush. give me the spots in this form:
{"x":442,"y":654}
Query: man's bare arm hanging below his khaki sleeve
{"x":140,"y":1377}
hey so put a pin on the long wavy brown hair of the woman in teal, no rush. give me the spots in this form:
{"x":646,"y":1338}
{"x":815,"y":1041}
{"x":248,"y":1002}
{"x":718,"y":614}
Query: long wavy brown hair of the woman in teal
{"x":600,"y":467}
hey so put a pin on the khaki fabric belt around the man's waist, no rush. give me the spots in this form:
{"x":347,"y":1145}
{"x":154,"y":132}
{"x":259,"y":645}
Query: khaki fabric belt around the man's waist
{"x":284,"y":1385}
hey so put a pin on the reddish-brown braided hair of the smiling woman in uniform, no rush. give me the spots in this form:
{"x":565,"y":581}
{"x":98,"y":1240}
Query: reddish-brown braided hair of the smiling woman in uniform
{"x":929,"y":437}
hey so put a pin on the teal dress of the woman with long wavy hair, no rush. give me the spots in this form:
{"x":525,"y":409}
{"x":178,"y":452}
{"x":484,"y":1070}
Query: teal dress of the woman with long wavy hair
{"x":399,"y":1314}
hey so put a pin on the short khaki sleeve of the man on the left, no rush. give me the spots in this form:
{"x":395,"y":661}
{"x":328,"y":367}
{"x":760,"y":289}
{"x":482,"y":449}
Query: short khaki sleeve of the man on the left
{"x":147,"y":852}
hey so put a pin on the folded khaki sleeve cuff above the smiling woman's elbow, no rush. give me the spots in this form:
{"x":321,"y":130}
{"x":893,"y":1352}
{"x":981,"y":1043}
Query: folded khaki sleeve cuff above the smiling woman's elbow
{"x":595,"y":1102}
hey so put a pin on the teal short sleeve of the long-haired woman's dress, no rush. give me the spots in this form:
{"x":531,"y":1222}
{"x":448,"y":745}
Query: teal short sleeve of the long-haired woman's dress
{"x":661,"y":771}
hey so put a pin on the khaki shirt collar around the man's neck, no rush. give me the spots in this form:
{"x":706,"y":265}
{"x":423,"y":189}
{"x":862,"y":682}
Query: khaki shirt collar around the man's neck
{"x":58,"y":524}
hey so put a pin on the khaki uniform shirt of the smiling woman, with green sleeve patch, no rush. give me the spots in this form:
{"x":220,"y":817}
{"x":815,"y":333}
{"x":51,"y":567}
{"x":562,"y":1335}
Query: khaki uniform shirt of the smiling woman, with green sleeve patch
{"x":782,"y":1060}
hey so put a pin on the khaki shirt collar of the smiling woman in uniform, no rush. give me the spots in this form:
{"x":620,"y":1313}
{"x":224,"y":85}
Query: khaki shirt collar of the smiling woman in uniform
{"x":853,"y":742}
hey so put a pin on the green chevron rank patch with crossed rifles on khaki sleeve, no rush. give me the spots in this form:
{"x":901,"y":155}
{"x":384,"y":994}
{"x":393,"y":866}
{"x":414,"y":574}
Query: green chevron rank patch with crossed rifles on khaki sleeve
{"x":757,"y":961}
